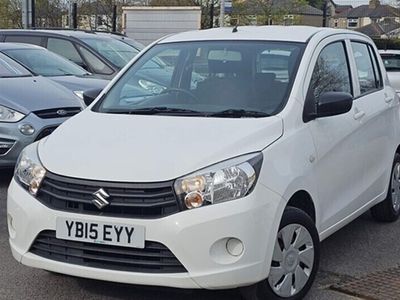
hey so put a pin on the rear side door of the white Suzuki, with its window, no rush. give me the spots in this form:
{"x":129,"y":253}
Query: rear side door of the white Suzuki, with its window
{"x":376,"y":109}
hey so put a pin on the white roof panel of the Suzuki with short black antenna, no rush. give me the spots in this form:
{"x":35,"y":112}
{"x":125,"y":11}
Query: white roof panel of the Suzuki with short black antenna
{"x":263,"y":33}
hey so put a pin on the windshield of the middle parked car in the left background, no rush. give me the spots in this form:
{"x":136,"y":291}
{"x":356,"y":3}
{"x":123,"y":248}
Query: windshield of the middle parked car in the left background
{"x":45,"y":63}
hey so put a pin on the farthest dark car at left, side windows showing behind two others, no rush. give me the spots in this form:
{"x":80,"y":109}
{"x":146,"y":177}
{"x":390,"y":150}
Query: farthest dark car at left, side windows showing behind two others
{"x":99,"y":54}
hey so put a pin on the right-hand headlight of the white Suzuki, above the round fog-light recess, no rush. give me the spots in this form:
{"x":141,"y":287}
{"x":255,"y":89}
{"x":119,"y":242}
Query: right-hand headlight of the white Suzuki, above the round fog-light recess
{"x":229,"y":180}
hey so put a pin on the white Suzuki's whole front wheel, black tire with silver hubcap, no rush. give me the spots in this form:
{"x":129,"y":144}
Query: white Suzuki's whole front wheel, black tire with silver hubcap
{"x":294,"y":224}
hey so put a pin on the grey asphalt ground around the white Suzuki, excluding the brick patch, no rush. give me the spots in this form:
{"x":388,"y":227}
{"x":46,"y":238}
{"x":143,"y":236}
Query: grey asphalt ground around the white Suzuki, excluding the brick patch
{"x":359,"y":249}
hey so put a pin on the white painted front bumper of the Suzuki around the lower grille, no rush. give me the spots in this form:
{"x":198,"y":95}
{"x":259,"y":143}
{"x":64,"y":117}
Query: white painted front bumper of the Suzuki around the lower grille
{"x":194,"y":237}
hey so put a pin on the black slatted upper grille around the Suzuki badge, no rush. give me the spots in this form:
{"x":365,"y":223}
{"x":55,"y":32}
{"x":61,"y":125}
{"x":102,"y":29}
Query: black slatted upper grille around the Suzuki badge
{"x":128,"y":200}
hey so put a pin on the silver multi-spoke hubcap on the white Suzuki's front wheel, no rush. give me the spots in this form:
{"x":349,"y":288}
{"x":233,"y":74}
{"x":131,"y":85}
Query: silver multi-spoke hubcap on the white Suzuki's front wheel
{"x":292,"y":261}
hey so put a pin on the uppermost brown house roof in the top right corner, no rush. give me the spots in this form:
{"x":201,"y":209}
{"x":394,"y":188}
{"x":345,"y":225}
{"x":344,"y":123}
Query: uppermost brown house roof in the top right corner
{"x":365,"y":11}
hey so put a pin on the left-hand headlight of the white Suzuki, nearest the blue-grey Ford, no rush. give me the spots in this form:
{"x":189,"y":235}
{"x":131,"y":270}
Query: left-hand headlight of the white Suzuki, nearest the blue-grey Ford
{"x":29,"y":172}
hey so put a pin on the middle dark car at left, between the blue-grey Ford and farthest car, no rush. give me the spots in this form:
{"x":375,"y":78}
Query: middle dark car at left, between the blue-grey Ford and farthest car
{"x":41,"y":61}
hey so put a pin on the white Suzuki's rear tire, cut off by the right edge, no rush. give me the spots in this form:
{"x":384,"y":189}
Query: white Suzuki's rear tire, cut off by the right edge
{"x":389,"y":209}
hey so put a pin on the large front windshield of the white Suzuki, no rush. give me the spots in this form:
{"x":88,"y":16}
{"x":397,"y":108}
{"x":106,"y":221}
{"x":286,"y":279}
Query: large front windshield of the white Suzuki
{"x":211,"y":78}
